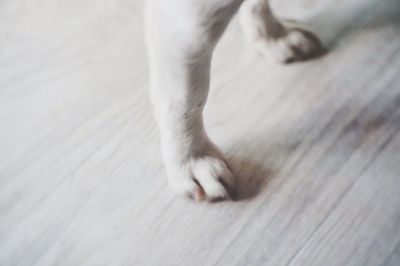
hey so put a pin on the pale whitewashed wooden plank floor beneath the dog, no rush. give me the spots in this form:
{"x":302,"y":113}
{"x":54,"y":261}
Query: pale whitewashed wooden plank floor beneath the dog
{"x":315,"y":146}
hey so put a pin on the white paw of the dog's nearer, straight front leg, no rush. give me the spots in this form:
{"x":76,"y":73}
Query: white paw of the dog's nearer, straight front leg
{"x":202,"y":178}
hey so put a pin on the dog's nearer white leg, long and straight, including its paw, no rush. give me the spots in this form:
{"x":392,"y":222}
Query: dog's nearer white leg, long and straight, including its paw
{"x":181,"y":37}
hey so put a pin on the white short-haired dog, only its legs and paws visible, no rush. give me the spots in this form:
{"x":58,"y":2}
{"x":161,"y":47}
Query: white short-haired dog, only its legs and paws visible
{"x":182,"y":35}
